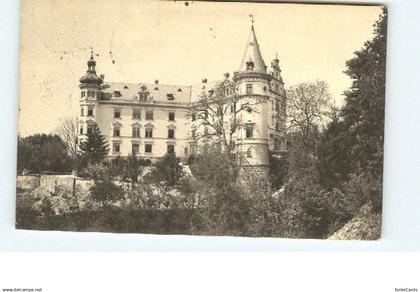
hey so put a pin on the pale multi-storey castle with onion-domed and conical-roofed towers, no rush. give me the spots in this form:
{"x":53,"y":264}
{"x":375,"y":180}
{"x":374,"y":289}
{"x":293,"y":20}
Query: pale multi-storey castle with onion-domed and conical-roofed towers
{"x":149,"y":120}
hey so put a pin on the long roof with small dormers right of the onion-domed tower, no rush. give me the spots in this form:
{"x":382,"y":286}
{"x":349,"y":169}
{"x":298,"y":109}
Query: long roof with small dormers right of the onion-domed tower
{"x":156,"y":92}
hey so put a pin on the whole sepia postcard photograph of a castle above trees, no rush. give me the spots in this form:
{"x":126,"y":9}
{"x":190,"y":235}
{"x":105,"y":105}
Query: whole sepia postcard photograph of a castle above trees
{"x":201,"y":118}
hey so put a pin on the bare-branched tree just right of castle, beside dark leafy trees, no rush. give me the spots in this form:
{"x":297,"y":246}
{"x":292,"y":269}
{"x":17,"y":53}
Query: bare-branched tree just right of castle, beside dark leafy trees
{"x":309,"y":107}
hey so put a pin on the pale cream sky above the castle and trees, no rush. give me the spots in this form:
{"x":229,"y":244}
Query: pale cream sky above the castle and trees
{"x":141,"y":41}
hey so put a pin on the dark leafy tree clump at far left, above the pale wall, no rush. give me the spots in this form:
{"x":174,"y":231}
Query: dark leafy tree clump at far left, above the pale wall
{"x":41,"y":152}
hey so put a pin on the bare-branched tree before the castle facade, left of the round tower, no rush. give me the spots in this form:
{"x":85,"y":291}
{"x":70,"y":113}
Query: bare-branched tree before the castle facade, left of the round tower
{"x":219,"y":112}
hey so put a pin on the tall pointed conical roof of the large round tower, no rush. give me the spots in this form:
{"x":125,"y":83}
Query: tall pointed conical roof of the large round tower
{"x":252,"y":54}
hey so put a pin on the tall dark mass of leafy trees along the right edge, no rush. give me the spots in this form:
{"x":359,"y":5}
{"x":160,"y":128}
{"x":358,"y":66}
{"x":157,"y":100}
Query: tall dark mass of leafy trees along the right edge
{"x":352,"y":144}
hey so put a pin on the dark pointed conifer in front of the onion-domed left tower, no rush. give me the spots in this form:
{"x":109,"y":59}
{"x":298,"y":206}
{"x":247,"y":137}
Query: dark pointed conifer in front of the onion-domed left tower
{"x":95,"y":148}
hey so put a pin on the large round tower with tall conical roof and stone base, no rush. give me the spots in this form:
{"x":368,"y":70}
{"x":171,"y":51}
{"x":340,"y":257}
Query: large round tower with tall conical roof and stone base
{"x":253,"y":83}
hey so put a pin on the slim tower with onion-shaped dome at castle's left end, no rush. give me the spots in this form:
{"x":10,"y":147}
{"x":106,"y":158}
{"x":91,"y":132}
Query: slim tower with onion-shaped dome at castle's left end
{"x":90,"y":92}
